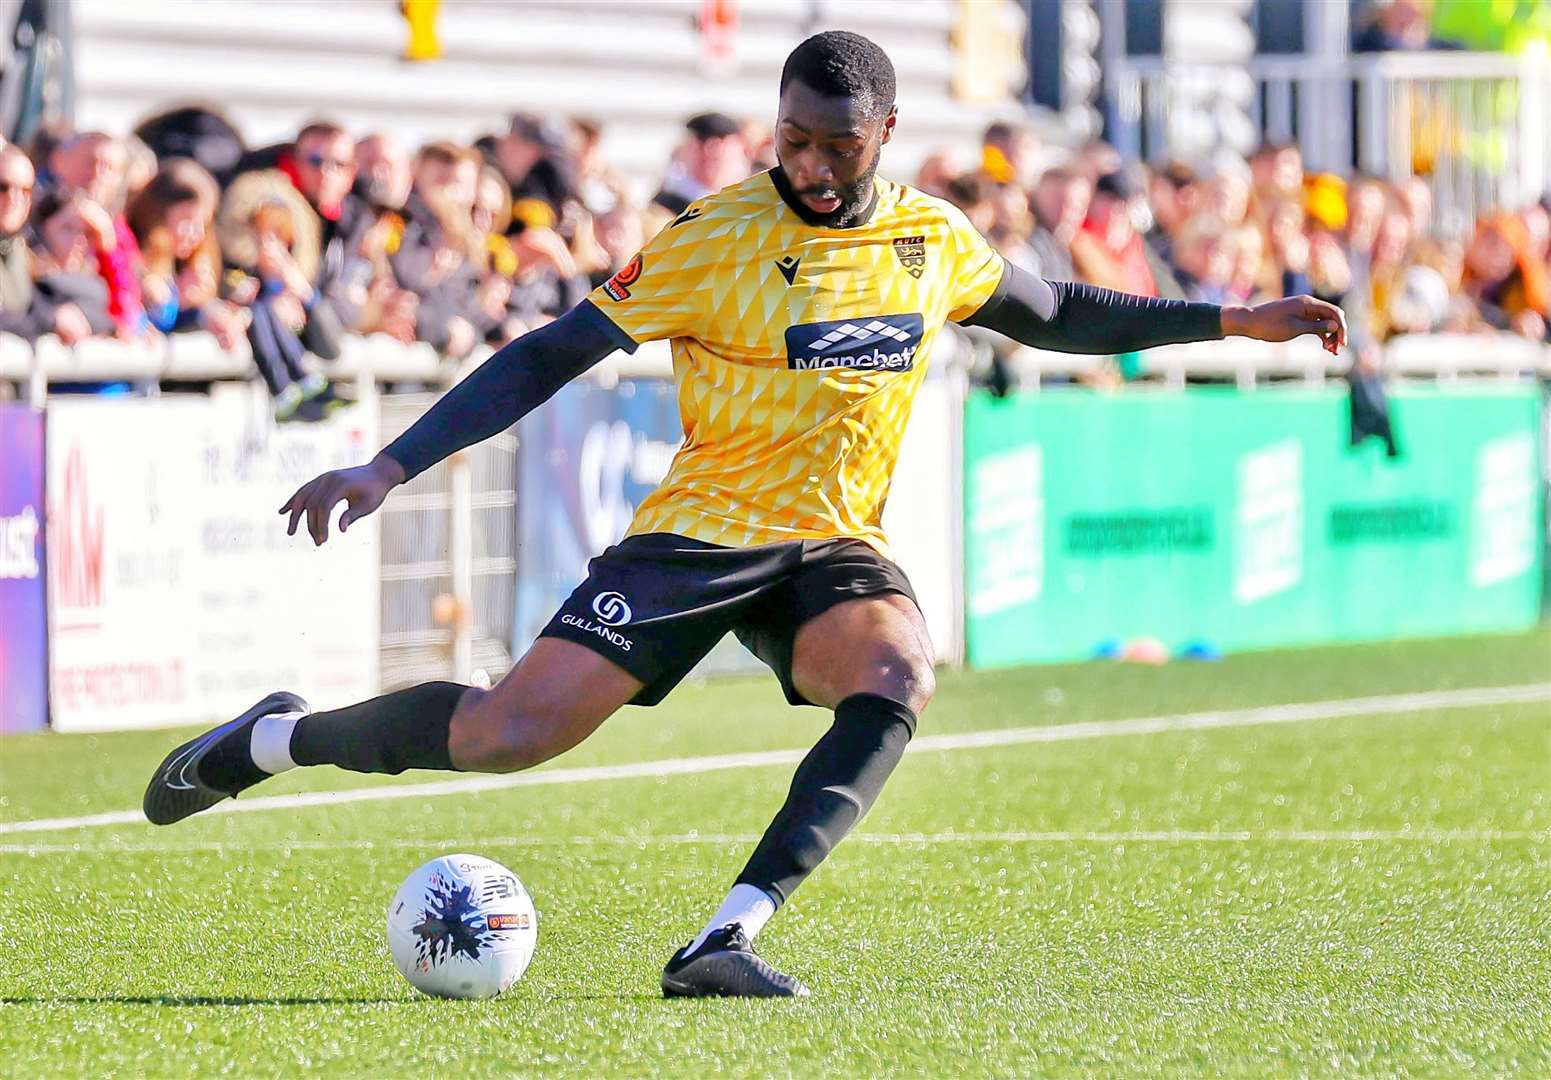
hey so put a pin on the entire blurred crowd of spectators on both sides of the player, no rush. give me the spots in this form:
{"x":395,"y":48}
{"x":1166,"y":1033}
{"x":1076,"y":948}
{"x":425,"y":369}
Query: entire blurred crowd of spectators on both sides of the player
{"x":289,"y":247}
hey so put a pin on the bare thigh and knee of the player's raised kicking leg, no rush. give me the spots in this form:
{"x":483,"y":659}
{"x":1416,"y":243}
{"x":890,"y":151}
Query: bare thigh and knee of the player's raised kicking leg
{"x":556,"y":697}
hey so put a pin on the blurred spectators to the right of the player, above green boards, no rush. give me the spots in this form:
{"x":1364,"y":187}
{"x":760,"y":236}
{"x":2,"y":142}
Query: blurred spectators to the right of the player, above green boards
{"x":1251,"y":230}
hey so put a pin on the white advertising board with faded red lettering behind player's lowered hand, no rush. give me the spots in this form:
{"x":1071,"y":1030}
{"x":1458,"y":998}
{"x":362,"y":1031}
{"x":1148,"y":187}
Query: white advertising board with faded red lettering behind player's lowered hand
{"x":176,"y":594}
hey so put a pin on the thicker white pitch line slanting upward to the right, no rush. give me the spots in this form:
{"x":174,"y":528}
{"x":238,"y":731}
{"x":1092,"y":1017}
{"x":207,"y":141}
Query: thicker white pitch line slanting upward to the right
{"x":1421,"y":702}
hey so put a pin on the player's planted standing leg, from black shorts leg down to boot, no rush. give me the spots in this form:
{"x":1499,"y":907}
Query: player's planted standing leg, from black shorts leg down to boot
{"x":871,"y":660}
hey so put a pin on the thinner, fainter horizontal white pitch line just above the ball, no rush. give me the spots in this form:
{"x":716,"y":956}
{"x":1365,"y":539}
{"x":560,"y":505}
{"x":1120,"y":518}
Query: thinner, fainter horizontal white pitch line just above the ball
{"x":900,"y":840}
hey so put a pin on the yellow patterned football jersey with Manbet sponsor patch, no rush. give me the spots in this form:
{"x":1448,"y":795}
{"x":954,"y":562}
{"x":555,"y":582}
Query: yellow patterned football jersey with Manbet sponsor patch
{"x":798,"y":353}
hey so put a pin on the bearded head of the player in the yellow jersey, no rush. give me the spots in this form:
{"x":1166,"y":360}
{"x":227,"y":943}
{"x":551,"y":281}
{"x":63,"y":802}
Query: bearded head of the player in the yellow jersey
{"x":837,"y":112}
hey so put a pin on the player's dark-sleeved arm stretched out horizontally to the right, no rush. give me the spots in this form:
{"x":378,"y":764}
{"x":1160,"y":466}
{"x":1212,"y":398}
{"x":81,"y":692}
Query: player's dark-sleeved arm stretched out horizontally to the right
{"x":1073,"y":317}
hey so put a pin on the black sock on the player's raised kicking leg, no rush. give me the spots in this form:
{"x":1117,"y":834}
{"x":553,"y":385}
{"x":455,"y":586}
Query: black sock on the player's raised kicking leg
{"x":389,"y":735}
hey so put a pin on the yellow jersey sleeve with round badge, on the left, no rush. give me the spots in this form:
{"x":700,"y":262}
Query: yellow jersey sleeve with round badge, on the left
{"x":658,"y":292}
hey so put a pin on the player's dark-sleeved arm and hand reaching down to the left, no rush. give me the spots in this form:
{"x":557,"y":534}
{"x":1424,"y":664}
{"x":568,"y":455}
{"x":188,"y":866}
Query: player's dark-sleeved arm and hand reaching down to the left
{"x":520,"y":378}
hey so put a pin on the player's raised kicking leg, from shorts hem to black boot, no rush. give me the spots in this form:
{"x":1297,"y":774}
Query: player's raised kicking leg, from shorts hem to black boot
{"x":554,"y":699}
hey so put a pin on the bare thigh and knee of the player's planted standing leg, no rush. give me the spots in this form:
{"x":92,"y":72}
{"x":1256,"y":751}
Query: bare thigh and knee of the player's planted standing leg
{"x":872,"y":645}
